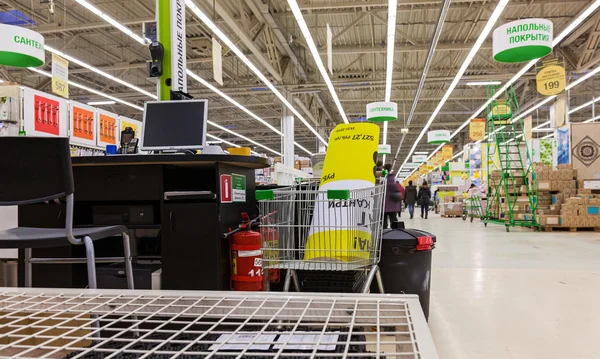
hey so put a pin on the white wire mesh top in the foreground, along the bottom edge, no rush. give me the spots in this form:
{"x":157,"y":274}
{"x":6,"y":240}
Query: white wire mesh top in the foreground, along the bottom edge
{"x":65,"y":323}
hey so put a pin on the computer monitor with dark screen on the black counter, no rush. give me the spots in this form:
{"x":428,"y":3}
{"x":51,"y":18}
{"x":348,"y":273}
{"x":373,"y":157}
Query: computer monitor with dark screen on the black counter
{"x":174,"y":125}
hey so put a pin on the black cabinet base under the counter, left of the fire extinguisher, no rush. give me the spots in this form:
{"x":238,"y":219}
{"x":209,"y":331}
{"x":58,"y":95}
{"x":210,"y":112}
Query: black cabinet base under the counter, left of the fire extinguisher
{"x":191,"y":247}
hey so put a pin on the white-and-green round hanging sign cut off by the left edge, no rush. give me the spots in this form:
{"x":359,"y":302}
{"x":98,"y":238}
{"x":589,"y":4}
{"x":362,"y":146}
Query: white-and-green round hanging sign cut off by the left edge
{"x":21,"y":47}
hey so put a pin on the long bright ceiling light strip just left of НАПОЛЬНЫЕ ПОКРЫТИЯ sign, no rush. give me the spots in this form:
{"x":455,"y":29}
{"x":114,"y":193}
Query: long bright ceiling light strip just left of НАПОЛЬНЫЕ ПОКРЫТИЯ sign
{"x":482,"y":36}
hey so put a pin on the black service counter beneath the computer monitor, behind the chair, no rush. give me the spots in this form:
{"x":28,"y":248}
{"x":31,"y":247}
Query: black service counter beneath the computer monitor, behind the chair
{"x":190,"y":199}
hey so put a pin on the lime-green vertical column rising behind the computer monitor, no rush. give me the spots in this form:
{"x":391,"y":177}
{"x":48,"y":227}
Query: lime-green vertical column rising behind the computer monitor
{"x":164,"y":37}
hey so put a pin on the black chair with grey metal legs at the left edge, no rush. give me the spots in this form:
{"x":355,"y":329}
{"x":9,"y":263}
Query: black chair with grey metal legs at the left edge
{"x":38,"y":169}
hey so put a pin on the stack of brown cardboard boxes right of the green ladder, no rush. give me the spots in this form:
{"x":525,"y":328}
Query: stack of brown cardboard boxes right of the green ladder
{"x":561,"y":203}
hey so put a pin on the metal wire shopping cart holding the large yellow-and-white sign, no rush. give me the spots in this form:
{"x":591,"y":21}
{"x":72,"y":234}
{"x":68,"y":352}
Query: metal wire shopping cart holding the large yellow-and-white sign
{"x":307,"y":229}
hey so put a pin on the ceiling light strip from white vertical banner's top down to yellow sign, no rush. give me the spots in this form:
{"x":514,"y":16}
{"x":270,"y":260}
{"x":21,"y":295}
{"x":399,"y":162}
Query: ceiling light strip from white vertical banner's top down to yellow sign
{"x":221,"y":35}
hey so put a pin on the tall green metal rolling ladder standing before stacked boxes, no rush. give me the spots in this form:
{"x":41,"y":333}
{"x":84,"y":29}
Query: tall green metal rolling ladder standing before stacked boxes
{"x":512,"y":191}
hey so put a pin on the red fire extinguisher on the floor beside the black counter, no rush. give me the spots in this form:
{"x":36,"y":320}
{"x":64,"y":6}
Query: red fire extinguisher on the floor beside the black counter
{"x":246,"y":258}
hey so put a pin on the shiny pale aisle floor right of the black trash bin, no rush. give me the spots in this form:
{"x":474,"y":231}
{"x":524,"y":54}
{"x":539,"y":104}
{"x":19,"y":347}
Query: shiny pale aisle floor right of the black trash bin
{"x":518,"y":295}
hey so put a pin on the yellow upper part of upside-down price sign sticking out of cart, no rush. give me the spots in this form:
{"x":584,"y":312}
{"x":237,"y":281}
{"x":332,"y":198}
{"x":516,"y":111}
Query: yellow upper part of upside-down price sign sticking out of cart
{"x":352,"y":153}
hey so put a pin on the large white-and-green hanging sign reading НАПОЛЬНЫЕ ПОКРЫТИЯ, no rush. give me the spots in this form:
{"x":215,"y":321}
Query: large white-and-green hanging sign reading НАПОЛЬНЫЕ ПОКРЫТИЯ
{"x":522,"y":40}
